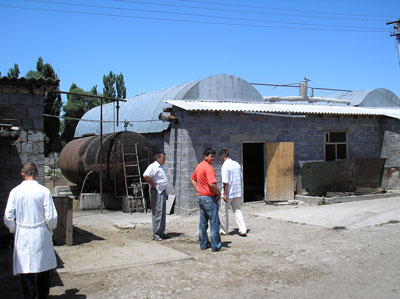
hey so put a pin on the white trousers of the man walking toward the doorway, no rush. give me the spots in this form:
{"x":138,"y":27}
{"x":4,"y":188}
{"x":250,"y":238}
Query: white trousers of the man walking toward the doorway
{"x":224,"y":217}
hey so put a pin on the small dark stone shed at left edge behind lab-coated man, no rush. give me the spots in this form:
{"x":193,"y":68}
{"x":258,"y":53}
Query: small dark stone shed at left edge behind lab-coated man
{"x":21,"y":130}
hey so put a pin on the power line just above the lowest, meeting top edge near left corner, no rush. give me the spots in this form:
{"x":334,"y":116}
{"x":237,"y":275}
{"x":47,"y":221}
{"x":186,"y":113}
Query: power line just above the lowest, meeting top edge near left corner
{"x":201,"y":15}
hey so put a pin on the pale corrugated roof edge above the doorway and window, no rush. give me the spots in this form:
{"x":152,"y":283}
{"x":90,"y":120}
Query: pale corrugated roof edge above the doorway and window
{"x":283,"y":108}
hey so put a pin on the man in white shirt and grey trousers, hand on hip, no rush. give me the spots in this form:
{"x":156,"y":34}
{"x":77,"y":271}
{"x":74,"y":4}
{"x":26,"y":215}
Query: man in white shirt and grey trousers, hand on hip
{"x":157,"y":179}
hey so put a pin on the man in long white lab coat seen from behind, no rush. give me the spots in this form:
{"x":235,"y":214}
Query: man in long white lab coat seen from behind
{"x":31,"y":215}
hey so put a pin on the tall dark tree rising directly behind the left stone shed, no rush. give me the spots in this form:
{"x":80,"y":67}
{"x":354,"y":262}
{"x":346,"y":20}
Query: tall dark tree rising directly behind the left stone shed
{"x":52,"y":106}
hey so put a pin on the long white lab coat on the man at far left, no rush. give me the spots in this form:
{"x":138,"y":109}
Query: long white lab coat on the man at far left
{"x":31,"y":215}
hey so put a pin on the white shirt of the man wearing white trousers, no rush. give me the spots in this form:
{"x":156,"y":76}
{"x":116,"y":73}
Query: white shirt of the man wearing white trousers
{"x":232,"y":174}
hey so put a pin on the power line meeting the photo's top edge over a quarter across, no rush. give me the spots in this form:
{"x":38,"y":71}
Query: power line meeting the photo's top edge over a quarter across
{"x":243,"y":11}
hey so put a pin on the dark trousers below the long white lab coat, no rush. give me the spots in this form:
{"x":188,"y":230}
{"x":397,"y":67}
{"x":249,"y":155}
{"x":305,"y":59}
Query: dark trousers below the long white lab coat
{"x":36,"y":285}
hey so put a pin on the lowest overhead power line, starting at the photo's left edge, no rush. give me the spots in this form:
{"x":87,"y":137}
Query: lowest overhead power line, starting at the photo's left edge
{"x":185,"y":21}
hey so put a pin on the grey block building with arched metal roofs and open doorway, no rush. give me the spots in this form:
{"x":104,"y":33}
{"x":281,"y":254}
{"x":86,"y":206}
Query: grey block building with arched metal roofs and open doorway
{"x":225,"y":111}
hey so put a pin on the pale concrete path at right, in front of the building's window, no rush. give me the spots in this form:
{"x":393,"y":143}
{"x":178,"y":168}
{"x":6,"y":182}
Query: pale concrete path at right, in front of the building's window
{"x":350,"y":215}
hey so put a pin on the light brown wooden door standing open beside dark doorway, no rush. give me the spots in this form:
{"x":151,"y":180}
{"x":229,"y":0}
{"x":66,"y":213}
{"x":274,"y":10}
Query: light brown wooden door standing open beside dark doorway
{"x":279,"y":168}
